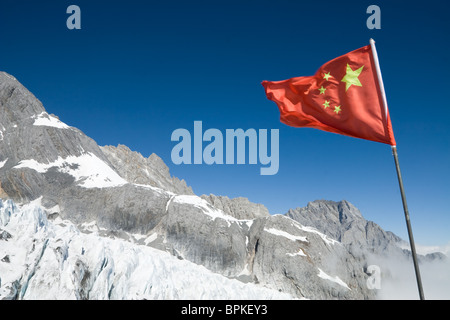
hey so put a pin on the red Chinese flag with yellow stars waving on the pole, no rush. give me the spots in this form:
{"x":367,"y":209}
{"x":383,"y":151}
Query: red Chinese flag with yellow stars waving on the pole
{"x":343,"y":97}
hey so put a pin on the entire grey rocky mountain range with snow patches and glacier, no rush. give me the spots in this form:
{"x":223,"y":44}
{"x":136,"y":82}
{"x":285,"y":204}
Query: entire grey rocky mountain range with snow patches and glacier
{"x":83,"y":221}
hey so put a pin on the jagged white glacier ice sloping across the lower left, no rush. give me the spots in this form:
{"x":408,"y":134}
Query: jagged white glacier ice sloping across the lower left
{"x":43,"y":258}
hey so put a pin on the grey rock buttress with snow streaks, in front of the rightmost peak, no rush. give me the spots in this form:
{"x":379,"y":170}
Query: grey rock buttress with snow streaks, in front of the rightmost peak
{"x":294,"y":264}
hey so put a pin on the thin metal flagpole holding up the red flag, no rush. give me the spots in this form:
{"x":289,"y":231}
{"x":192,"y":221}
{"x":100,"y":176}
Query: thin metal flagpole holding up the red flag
{"x":399,"y":176}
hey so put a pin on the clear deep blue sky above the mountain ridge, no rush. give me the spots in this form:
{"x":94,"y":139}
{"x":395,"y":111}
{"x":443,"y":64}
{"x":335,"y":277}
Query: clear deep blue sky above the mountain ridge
{"x":137,"y":70}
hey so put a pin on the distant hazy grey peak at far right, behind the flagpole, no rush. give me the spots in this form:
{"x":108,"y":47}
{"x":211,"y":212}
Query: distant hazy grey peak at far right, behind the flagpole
{"x":366,"y":241}
